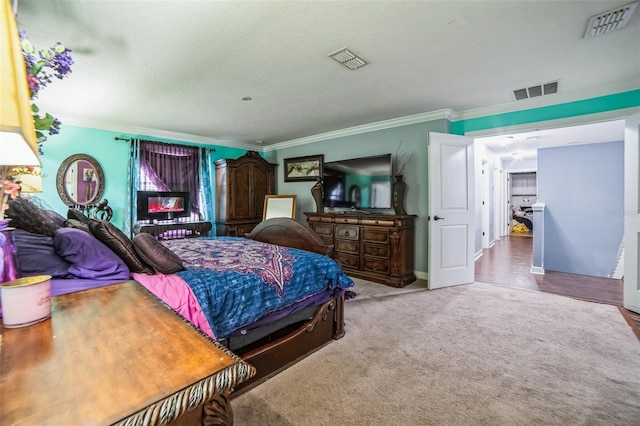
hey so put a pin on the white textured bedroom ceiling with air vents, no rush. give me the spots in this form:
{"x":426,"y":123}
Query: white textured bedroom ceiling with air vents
{"x":149,"y":67}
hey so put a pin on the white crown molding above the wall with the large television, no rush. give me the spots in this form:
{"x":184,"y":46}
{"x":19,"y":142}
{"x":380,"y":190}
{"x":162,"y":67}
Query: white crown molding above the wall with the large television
{"x":379,"y":125}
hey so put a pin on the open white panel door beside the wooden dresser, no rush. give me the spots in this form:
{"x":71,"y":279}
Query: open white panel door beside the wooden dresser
{"x":451,"y":210}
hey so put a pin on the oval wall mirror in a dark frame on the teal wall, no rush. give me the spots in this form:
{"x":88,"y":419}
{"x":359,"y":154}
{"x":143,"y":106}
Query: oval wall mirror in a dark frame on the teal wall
{"x":80,"y":180}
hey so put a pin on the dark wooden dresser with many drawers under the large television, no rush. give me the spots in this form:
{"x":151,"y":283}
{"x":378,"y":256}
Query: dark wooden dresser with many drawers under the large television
{"x":375,"y":247}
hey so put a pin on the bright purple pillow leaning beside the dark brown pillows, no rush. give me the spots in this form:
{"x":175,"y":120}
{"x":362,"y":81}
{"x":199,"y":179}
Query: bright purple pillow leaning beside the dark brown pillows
{"x":89,"y":257}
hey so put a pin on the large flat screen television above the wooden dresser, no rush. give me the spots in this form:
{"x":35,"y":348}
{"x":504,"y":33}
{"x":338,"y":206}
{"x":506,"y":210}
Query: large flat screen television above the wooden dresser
{"x":358,"y":183}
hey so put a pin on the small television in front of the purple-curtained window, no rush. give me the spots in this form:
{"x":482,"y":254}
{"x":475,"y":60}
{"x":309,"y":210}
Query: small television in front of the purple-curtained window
{"x":162,"y":205}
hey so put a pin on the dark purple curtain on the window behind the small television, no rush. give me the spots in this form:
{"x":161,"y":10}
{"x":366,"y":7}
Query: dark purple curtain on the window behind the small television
{"x":172,"y":168}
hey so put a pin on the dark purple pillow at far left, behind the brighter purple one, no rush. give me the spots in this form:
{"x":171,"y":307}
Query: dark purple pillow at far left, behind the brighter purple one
{"x":37,"y":255}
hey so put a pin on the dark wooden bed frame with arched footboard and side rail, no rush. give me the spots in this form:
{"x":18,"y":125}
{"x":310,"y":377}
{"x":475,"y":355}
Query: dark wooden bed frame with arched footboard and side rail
{"x":284,"y":348}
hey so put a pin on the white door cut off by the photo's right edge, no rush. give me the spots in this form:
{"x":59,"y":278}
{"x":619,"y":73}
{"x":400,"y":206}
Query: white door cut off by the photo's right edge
{"x":631,"y":299}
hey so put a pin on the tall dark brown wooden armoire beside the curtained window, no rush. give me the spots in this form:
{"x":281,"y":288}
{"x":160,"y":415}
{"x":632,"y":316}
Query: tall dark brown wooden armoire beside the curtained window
{"x":241,"y":185}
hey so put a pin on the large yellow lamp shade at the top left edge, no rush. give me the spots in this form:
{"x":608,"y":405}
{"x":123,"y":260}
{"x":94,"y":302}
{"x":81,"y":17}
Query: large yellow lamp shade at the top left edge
{"x":17,"y":132}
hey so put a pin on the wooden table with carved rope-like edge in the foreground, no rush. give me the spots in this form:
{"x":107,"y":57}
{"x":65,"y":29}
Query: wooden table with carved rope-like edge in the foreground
{"x":114,"y":355}
